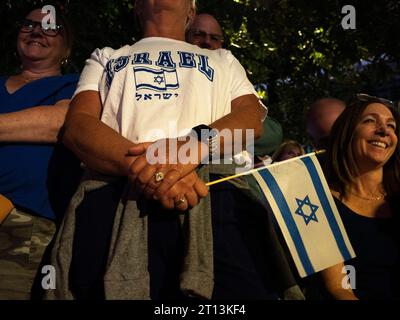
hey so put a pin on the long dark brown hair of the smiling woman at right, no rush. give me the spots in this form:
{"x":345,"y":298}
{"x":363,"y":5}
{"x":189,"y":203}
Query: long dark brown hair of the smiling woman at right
{"x":340,"y":165}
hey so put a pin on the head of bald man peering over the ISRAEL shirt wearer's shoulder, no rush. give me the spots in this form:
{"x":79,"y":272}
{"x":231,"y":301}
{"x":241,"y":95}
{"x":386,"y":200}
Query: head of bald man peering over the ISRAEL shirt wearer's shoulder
{"x":205,"y":32}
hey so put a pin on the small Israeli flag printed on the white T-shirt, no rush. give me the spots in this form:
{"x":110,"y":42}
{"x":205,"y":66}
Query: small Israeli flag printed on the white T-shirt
{"x":156,"y":79}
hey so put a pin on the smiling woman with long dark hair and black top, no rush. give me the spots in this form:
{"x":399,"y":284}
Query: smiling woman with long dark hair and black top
{"x":363,"y":171}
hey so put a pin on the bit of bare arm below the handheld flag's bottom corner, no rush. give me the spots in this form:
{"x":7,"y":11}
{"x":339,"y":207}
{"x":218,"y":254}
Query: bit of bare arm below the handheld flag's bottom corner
{"x":333,"y":279}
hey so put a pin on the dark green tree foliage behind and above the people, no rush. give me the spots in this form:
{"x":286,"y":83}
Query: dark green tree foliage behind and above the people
{"x":297,"y":47}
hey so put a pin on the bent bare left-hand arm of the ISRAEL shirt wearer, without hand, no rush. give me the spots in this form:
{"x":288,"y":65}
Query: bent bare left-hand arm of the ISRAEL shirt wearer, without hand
{"x":97,"y":145}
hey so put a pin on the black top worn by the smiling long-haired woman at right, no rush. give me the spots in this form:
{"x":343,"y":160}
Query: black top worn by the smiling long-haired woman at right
{"x":377,"y":247}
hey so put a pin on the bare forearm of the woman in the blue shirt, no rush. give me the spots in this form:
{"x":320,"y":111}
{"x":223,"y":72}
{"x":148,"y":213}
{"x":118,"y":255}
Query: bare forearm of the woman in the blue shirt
{"x":34,"y":125}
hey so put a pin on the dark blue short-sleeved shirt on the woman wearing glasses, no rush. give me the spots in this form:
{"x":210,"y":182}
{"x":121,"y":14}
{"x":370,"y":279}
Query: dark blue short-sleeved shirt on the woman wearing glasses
{"x":24,"y":167}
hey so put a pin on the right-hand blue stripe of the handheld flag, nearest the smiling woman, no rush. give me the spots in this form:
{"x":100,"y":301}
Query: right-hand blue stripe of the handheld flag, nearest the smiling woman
{"x":327,"y":208}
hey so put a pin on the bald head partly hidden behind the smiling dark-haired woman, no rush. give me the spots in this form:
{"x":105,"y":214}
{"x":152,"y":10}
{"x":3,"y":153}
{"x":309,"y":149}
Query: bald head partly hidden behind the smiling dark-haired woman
{"x":320,"y":119}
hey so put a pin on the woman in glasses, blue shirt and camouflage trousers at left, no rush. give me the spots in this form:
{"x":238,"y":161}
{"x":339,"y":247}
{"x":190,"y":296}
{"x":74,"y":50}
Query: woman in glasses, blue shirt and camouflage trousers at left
{"x":33,"y":104}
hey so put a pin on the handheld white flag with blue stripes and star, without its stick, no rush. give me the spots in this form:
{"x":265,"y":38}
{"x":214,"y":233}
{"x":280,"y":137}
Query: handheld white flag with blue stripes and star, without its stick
{"x":306,"y":213}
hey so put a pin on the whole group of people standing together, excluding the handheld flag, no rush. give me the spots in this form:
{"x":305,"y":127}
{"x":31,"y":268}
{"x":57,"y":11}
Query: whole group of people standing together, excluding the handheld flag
{"x":94,"y":183}
